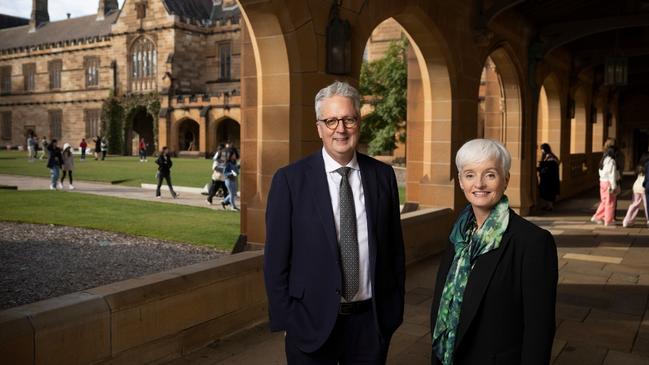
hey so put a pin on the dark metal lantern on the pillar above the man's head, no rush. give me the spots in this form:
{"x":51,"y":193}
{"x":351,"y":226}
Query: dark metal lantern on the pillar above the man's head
{"x":339,"y":45}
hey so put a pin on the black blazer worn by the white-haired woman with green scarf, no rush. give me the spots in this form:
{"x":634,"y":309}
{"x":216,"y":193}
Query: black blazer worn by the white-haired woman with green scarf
{"x":508,"y":311}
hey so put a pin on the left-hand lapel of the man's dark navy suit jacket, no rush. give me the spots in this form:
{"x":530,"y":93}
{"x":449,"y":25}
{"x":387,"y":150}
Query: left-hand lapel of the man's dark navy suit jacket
{"x":318,"y":176}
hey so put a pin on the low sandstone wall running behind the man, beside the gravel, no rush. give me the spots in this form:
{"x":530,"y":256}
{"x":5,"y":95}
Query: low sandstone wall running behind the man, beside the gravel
{"x":162,"y":316}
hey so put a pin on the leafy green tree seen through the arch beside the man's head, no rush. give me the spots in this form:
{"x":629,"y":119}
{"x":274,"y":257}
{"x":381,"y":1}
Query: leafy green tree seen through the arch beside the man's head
{"x":384,"y":84}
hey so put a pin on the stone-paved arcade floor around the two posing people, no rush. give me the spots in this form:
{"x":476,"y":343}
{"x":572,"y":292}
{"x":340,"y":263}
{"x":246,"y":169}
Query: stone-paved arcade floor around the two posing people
{"x":602,"y":313}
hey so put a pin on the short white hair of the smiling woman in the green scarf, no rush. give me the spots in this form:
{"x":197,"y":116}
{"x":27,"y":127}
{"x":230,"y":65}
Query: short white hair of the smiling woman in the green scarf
{"x":479,"y":150}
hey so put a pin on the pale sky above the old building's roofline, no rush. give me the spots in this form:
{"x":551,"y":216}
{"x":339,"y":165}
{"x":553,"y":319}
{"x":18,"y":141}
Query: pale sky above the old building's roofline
{"x":57,"y":8}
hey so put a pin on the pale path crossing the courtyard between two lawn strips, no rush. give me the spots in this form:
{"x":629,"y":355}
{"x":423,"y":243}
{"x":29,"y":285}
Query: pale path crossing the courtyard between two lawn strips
{"x":120,"y":191}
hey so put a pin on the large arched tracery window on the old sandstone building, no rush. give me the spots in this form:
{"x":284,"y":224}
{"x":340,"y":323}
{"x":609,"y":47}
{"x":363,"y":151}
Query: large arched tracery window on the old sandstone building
{"x":143,"y":65}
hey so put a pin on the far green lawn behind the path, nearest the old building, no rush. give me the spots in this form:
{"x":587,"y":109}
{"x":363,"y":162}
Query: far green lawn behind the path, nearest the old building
{"x":116,"y":169}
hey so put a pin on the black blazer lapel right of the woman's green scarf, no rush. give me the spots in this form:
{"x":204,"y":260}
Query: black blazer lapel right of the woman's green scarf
{"x":477,"y":285}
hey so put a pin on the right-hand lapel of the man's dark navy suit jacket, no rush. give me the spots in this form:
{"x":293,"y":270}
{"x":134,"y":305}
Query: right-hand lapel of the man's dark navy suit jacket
{"x":371,"y":194}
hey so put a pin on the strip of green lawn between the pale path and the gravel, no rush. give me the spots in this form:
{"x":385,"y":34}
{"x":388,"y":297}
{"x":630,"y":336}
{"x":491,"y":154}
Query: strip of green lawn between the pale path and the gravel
{"x":194,"y":225}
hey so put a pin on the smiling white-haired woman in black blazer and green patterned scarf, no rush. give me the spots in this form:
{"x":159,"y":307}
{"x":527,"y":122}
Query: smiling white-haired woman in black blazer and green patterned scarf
{"x":494,"y":301}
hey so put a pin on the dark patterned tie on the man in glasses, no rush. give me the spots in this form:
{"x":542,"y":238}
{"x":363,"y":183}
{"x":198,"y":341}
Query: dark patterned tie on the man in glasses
{"x":348,"y":242}
